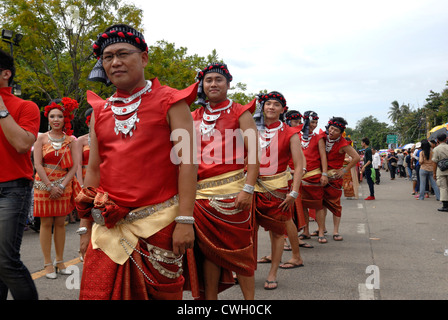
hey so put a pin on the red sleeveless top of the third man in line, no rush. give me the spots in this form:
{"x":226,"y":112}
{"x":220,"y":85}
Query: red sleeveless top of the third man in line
{"x":276,"y":157}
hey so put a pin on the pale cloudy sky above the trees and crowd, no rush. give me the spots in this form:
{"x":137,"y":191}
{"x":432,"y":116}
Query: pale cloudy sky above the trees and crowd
{"x":348,"y":58}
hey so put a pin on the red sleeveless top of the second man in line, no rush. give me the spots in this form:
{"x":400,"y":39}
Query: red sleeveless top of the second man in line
{"x":212,"y":152}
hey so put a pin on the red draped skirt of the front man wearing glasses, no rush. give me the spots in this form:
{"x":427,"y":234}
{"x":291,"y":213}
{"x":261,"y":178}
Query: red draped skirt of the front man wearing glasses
{"x":103,"y":279}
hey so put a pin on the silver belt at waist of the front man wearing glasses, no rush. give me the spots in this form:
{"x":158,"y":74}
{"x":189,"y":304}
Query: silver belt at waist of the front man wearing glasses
{"x":136,"y":215}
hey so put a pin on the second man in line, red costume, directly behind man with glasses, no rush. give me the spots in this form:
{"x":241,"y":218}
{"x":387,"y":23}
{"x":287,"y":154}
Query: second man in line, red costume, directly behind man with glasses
{"x":223,"y":213}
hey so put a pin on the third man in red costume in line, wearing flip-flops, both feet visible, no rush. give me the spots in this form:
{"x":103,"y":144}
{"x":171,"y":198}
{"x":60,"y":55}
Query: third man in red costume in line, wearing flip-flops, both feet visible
{"x":274,"y":201}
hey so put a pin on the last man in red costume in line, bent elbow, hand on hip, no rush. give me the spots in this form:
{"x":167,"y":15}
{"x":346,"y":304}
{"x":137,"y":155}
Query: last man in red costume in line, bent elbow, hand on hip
{"x":336,"y":147}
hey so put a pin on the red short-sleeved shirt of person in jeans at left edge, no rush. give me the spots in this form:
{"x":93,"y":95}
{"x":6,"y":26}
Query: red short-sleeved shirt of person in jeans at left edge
{"x":26,"y":114}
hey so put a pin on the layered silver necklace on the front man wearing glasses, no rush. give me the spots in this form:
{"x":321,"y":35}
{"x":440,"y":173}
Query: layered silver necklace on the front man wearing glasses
{"x":128,"y":125}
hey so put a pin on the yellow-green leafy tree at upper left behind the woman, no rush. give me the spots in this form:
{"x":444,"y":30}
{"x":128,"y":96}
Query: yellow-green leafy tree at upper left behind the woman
{"x":55,"y":54}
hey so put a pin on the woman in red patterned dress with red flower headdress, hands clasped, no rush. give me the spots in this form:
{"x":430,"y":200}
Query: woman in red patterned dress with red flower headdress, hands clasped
{"x":55,"y":188}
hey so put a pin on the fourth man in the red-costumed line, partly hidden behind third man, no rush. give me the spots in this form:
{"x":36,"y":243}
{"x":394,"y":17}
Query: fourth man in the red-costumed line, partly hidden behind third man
{"x":315,"y":177}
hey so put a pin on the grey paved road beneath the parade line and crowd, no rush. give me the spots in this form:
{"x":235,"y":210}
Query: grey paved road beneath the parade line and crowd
{"x":401,"y":240}
